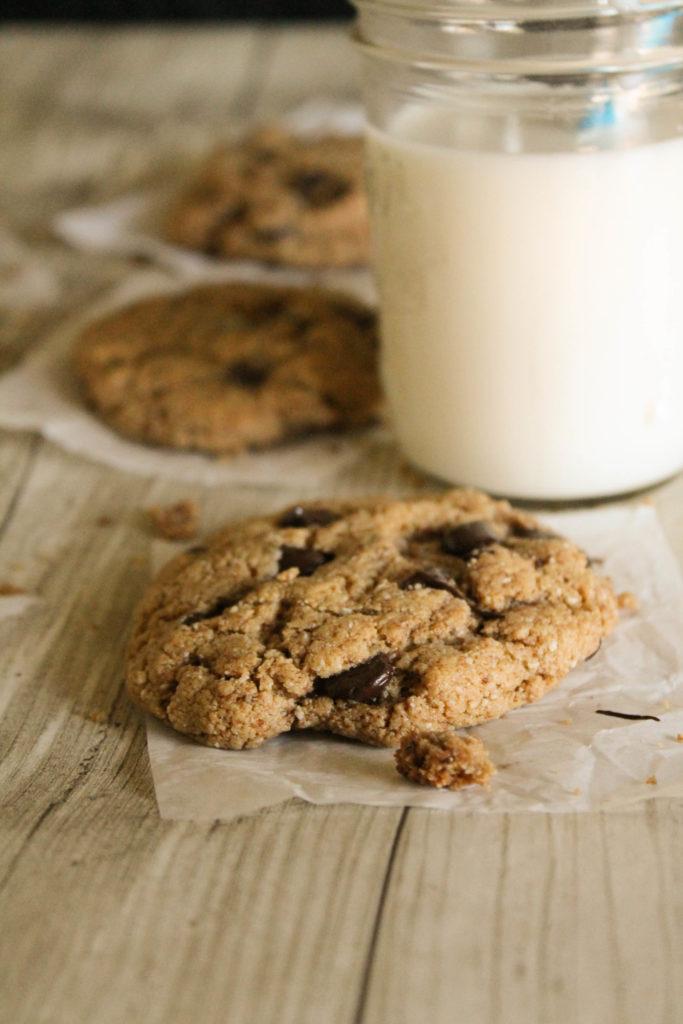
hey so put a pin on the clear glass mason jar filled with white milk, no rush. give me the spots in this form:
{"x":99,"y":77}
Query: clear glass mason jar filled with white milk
{"x":526,"y":179}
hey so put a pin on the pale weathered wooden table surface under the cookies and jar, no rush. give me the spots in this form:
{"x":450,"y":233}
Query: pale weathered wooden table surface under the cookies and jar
{"x":301,"y":914}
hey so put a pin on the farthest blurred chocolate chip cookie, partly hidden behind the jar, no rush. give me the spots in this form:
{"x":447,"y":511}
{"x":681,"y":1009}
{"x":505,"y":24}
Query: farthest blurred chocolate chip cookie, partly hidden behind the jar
{"x":280,"y":199}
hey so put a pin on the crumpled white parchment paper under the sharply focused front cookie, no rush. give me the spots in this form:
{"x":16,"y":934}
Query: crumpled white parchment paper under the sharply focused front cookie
{"x":558,"y":755}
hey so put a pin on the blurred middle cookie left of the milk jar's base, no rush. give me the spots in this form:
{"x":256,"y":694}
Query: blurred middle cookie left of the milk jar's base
{"x":226,"y":368}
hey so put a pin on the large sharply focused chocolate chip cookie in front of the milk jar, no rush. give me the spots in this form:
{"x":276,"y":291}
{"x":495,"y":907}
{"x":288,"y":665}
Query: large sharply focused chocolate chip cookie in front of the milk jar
{"x":372,"y":619}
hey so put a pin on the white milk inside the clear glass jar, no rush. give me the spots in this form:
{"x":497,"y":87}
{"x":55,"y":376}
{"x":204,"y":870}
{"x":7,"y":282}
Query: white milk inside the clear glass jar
{"x":532,"y":313}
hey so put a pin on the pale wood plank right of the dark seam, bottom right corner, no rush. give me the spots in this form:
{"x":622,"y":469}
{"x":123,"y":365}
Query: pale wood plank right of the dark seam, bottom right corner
{"x":532,"y":919}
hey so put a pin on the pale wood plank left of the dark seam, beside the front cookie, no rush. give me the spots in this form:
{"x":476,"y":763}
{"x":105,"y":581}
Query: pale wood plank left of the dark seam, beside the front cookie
{"x":161,"y":918}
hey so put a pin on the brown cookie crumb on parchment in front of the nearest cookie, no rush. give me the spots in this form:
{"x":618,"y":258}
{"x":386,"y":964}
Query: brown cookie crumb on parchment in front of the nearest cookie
{"x":445,"y":759}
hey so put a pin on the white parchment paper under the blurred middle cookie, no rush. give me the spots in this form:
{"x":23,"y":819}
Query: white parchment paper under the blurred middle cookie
{"x":42,"y":395}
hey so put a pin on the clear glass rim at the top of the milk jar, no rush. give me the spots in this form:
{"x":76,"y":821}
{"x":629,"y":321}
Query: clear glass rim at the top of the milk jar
{"x":513,"y":37}
